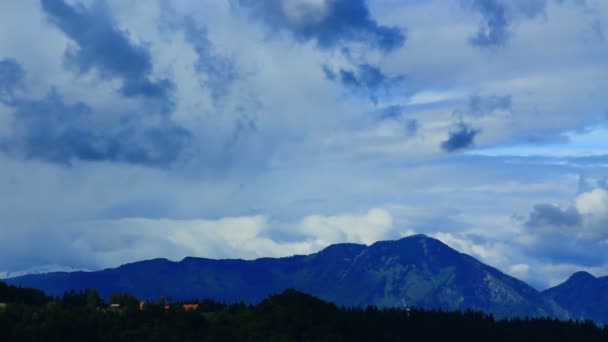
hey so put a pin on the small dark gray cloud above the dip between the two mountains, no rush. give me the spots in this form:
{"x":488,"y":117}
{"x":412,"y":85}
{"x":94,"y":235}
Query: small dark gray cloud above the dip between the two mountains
{"x":548,"y":215}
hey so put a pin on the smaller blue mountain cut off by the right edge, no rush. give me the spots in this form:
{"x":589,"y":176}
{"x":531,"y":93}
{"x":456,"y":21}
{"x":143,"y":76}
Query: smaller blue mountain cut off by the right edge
{"x":583,"y":295}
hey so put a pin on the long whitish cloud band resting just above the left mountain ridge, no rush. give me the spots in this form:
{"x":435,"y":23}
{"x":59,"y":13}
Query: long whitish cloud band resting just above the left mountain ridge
{"x":110,"y":243}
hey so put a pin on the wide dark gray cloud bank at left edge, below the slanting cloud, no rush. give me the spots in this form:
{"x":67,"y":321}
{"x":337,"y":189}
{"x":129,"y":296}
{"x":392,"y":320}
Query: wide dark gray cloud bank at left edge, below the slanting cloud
{"x":50,"y":129}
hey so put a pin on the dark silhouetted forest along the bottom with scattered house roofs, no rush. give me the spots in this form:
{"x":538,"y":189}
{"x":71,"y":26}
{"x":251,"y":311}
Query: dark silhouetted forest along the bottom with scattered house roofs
{"x":30,"y":315}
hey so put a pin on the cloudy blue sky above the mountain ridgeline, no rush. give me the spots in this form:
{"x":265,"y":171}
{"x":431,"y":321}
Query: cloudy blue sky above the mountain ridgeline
{"x":133,"y":130}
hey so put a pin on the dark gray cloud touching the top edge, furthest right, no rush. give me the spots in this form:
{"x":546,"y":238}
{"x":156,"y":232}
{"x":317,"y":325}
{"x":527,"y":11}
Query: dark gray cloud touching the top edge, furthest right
{"x":497,"y":16}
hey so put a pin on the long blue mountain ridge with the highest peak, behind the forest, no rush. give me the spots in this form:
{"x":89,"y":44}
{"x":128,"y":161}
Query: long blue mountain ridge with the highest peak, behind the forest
{"x":414,"y":271}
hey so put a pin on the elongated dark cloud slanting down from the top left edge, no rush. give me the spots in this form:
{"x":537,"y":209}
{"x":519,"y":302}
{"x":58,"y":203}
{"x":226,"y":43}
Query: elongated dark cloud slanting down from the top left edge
{"x":99,"y":45}
